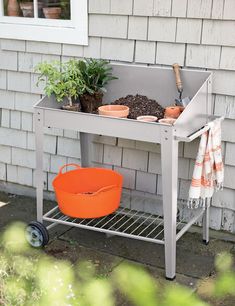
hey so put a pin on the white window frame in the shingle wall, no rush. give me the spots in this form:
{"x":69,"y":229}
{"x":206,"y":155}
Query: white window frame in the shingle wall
{"x":73,"y":31}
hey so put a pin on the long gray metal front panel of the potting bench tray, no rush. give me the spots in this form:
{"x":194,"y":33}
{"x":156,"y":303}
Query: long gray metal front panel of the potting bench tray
{"x":101,"y":125}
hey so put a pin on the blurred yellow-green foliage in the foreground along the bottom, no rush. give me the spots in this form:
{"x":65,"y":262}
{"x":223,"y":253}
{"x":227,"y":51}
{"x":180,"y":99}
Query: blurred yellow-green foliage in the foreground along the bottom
{"x":30,"y":277}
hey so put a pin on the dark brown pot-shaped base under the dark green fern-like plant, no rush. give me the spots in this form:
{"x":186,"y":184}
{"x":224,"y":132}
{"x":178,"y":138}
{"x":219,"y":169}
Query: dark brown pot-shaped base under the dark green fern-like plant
{"x":91,"y":103}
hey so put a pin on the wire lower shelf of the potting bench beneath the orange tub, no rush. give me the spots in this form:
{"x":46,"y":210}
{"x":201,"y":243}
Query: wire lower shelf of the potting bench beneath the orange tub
{"x":124,"y":222}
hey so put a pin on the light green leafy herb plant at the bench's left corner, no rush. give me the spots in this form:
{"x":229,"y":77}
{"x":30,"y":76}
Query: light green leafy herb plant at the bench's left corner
{"x":64,"y":80}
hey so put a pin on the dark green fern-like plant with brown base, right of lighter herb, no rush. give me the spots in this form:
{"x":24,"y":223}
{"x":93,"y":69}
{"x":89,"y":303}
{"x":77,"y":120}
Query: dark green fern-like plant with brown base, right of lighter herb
{"x":95,"y":74}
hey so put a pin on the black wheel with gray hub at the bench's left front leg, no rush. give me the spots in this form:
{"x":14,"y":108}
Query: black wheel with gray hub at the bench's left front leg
{"x":36,"y":234}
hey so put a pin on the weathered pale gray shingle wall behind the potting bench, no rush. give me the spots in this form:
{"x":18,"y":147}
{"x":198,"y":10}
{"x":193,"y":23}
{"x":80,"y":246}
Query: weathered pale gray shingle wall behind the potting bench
{"x":197,"y":34}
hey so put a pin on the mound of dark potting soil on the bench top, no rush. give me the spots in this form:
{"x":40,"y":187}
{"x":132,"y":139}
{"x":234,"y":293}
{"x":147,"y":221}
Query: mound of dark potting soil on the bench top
{"x":140,"y":106}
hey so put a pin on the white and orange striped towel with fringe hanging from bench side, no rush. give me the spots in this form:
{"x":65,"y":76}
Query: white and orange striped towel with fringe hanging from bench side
{"x":208,"y":174}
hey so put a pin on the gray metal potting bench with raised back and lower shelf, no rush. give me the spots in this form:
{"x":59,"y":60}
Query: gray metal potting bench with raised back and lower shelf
{"x":157,"y":83}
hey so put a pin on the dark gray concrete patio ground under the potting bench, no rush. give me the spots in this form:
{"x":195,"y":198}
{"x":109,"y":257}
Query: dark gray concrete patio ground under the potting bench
{"x":194,"y":259}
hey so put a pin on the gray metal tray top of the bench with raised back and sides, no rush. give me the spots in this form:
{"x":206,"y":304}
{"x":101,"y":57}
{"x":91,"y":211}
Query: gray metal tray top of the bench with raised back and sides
{"x":156,"y":83}
